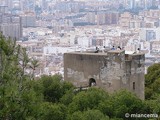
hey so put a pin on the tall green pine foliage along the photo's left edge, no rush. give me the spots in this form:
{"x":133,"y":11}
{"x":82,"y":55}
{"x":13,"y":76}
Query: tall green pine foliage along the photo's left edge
{"x":18,"y":100}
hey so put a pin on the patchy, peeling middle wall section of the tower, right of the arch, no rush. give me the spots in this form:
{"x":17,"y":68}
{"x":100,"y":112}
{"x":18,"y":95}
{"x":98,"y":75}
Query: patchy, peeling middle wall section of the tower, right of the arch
{"x":113,"y":74}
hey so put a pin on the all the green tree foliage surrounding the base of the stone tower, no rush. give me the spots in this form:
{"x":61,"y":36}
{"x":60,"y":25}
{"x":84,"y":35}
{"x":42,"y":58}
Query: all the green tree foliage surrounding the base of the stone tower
{"x":50,"y":98}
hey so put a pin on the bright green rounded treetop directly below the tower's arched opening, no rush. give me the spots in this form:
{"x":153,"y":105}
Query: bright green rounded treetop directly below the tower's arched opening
{"x":87,"y":100}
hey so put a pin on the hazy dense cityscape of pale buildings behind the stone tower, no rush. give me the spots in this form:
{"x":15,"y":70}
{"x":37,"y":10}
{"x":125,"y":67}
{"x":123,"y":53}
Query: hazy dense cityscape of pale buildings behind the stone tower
{"x":49,"y":28}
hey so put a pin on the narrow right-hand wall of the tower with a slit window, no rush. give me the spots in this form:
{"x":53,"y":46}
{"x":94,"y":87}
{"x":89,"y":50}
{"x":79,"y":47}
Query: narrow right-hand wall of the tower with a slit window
{"x":136,"y":74}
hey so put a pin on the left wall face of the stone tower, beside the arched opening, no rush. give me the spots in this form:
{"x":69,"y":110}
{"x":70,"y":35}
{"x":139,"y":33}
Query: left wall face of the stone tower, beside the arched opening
{"x":79,"y":68}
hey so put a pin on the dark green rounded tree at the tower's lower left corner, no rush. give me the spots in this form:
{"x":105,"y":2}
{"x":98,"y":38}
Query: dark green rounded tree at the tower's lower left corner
{"x":54,"y":88}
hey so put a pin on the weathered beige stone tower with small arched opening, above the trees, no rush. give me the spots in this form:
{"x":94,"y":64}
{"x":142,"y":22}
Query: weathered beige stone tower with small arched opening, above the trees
{"x":112,"y":70}
